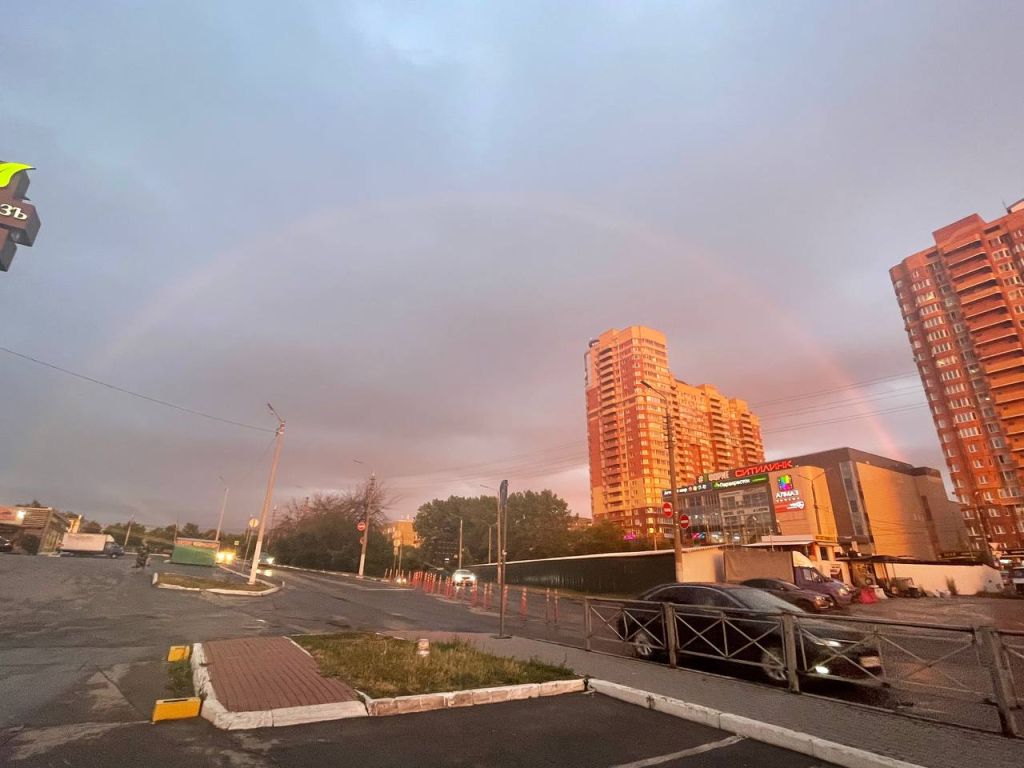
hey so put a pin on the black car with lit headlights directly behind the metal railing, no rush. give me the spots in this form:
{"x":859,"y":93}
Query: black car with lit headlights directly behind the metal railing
{"x":734,"y":623}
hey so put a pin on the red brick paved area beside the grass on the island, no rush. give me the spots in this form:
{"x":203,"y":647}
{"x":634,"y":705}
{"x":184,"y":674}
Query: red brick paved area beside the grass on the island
{"x":269,"y":673}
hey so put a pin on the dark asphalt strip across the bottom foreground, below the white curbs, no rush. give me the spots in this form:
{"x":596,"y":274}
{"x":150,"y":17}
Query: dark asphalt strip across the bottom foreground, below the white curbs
{"x":570,"y":731}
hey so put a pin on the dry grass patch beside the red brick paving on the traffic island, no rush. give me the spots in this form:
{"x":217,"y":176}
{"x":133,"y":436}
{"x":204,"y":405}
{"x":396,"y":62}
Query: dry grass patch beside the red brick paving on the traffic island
{"x":382,"y":667}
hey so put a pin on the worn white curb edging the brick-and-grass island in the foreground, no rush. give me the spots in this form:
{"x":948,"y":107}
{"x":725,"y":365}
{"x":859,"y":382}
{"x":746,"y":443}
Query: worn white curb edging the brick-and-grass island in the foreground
{"x":222,"y":718}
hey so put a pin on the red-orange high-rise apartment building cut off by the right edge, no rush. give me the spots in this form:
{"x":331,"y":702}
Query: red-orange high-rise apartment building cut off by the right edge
{"x":963,"y":306}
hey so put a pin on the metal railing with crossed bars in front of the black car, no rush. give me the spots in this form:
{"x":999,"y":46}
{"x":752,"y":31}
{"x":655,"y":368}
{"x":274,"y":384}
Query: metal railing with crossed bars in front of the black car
{"x":972,"y":676}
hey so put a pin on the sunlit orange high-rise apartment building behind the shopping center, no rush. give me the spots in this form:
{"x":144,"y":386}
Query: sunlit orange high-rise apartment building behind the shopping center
{"x":626,"y":431}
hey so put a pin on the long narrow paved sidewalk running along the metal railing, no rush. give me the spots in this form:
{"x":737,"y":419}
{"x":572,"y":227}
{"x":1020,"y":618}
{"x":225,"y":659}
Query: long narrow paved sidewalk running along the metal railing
{"x":921,"y":743}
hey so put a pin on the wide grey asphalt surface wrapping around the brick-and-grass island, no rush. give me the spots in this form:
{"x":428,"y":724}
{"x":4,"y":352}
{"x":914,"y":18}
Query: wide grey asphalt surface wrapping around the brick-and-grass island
{"x":81,"y":643}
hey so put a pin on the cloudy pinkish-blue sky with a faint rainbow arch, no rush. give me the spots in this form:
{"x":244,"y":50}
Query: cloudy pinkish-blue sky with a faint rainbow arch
{"x":401,"y":224}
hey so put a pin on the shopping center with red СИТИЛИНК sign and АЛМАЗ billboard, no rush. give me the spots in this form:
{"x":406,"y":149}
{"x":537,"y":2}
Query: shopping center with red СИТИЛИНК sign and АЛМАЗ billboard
{"x":843,"y":499}
